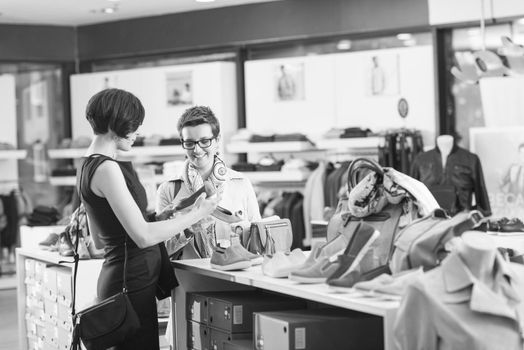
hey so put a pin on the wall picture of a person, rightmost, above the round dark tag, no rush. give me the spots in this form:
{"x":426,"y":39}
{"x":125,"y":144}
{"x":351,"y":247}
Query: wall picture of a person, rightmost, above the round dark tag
{"x":383,"y":75}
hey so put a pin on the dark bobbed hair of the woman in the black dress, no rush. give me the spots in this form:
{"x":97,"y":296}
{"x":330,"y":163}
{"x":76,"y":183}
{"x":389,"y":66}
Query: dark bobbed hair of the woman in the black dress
{"x":116,"y":110}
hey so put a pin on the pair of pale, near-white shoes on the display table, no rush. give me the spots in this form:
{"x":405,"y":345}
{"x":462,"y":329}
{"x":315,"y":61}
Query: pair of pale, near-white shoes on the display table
{"x":280,"y":264}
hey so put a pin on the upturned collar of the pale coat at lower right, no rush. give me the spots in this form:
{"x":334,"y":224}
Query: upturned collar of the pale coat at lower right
{"x":457,"y":279}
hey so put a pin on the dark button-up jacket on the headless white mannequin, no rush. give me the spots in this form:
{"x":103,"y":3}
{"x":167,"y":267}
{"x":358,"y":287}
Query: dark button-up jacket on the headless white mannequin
{"x":463,"y":172}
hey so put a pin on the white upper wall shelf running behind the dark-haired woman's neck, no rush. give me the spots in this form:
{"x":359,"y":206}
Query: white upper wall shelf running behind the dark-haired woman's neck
{"x":149,"y":151}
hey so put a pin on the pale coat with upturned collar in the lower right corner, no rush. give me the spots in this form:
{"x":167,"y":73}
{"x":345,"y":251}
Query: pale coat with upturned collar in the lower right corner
{"x":449,"y":309}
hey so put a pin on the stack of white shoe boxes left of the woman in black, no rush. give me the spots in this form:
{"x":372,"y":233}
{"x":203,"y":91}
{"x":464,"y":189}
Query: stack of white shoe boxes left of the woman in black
{"x":48,"y":306}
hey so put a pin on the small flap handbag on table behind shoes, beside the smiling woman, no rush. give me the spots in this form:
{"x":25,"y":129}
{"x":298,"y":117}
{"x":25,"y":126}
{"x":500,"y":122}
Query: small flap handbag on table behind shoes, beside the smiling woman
{"x":269,"y":237}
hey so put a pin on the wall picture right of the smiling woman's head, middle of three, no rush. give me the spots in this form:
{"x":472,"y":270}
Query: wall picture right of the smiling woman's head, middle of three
{"x":289,"y":82}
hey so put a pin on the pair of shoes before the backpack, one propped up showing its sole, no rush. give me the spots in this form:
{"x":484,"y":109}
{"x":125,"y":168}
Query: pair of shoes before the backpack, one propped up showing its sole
{"x":332,"y":265}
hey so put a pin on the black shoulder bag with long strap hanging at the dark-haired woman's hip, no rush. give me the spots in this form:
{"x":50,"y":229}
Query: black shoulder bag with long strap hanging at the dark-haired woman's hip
{"x":107,"y":323}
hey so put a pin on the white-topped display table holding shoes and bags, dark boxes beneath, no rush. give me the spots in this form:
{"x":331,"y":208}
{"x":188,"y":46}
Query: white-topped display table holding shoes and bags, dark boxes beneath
{"x":197,"y":275}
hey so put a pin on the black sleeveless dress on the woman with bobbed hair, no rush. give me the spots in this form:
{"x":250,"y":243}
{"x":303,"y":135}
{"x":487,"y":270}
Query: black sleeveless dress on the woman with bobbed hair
{"x":143,"y":265}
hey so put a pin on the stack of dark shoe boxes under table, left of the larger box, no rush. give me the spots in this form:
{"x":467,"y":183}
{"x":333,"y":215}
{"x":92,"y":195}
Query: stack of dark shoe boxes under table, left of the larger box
{"x":218,"y":318}
